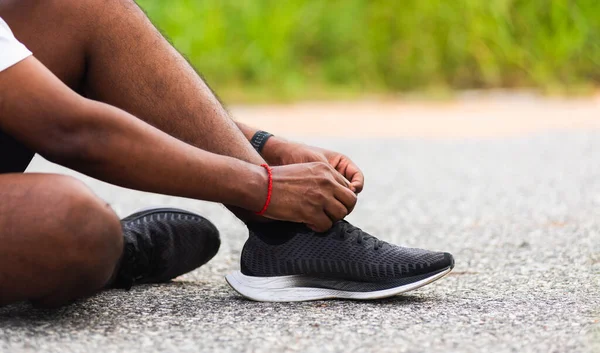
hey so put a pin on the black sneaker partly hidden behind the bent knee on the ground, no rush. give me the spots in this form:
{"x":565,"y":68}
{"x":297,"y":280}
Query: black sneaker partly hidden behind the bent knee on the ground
{"x":163,"y":243}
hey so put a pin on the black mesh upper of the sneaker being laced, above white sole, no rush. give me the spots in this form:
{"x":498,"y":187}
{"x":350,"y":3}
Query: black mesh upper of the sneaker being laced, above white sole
{"x":344,"y":252}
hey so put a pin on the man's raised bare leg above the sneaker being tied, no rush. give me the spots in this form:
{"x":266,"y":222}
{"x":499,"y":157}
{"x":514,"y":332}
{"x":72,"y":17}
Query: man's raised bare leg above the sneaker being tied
{"x":110,"y":51}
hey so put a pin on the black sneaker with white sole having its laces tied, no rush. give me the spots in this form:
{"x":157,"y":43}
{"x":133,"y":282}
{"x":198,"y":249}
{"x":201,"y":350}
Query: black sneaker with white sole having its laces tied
{"x":289,"y":262}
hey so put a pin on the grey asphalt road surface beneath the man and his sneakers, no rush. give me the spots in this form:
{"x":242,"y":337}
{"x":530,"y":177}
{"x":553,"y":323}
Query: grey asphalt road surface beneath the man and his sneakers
{"x":521,"y":215}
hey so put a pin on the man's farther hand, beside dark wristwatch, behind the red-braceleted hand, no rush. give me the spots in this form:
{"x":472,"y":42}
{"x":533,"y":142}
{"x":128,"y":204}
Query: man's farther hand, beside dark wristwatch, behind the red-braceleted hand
{"x":278,"y":151}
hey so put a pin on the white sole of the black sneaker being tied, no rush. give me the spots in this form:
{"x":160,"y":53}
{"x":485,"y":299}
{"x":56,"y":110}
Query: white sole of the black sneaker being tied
{"x":286,"y":288}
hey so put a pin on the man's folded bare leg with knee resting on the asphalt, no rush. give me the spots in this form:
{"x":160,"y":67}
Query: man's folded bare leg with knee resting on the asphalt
{"x":59,"y":241}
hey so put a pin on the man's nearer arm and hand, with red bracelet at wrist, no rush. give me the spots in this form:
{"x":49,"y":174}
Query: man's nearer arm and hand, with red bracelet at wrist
{"x":110,"y":144}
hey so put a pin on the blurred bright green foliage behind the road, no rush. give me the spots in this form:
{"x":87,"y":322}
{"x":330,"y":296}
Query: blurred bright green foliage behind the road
{"x":305,"y":48}
